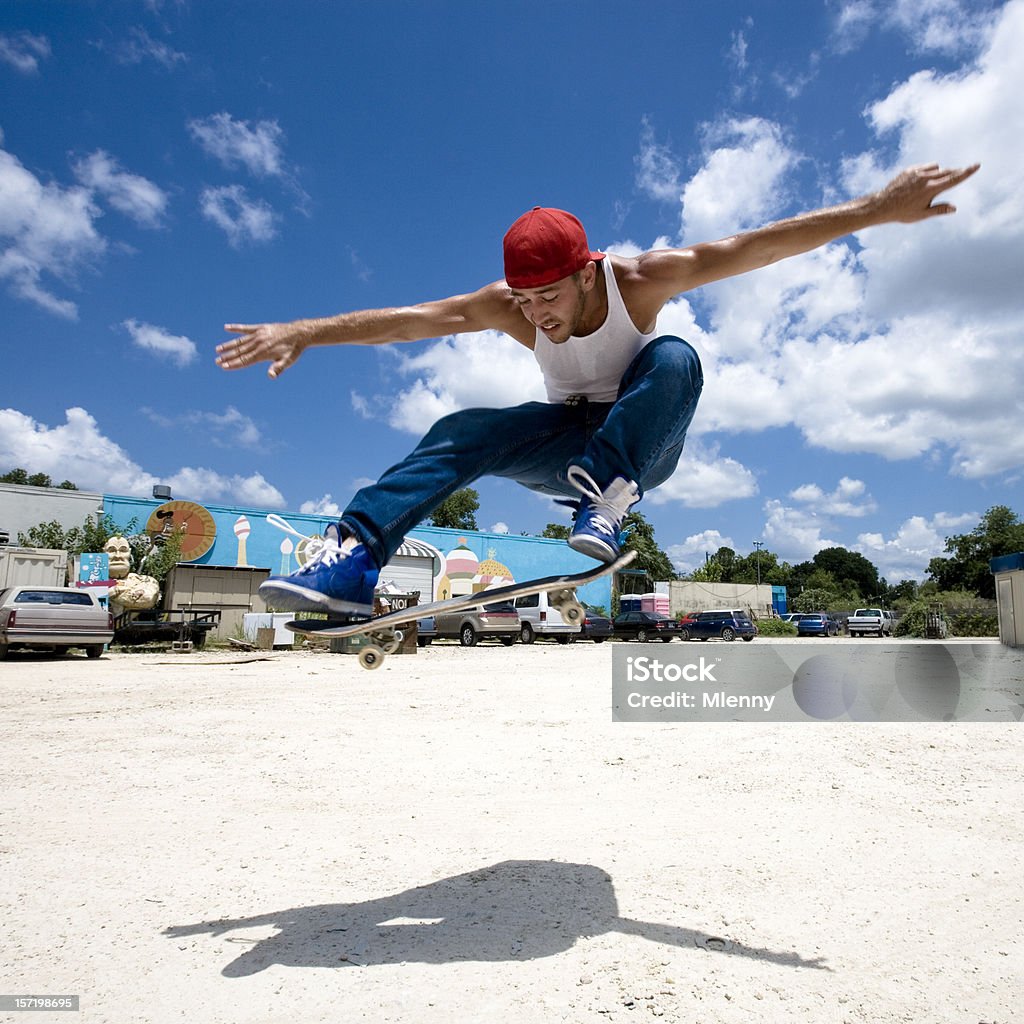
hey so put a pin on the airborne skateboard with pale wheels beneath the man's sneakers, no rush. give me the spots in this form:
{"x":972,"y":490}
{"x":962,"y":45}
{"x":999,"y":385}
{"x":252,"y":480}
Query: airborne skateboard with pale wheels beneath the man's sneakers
{"x":386,"y":636}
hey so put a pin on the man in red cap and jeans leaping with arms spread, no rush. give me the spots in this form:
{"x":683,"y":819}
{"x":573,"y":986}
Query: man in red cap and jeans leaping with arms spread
{"x":620,"y":397}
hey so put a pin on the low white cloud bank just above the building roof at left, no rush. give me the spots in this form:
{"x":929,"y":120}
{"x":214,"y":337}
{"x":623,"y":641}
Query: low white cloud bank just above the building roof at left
{"x":78,"y":451}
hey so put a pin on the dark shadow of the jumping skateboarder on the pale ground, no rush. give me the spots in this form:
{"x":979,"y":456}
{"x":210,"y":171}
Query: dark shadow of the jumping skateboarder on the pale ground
{"x":518,"y":910}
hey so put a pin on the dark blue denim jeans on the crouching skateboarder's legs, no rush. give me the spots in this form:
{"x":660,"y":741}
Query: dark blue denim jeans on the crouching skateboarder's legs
{"x":639,"y":437}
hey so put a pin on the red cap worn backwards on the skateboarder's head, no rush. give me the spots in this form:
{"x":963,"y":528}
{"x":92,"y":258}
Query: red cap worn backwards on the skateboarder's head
{"x":544,"y":246}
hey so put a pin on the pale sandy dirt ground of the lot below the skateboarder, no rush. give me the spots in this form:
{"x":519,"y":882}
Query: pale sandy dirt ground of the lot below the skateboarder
{"x":467,"y":836}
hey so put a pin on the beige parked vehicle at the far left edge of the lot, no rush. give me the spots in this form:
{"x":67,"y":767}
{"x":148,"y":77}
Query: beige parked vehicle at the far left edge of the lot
{"x":54,"y":617}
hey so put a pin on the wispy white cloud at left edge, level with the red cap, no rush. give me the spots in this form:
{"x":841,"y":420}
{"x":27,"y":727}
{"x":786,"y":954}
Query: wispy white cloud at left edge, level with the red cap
{"x":46,"y":231}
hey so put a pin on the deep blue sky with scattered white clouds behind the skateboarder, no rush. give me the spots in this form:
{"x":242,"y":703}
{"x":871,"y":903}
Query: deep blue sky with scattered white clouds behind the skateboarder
{"x":169,"y":167}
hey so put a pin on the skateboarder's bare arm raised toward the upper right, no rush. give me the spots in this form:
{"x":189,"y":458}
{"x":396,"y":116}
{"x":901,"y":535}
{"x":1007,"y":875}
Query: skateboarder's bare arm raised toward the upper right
{"x":909,"y":198}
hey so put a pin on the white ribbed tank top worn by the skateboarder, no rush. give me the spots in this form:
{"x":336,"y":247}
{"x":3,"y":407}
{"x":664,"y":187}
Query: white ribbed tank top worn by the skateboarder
{"x":593,"y":366}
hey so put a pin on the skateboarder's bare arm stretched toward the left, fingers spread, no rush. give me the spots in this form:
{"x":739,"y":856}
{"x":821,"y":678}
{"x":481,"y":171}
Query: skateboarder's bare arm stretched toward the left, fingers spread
{"x":282,"y":345}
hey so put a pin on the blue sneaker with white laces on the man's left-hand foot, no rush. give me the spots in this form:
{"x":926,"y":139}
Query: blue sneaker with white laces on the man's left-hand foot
{"x":339,"y":579}
